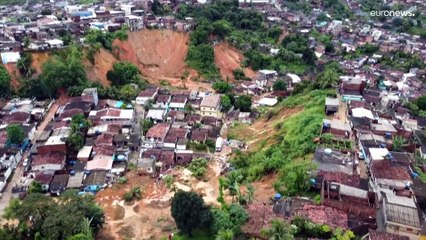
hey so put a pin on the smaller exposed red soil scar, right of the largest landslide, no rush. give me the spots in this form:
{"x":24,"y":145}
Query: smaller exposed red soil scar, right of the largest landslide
{"x":227,"y":59}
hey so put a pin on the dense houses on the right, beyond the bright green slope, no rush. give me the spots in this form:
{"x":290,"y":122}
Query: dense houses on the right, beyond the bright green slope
{"x":368,"y":162}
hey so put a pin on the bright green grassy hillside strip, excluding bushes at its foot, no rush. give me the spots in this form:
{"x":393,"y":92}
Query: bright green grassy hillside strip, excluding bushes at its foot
{"x":293,"y":138}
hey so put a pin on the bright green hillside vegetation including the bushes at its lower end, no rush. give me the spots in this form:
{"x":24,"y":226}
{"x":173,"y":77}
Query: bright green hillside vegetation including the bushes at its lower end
{"x":293,"y":141}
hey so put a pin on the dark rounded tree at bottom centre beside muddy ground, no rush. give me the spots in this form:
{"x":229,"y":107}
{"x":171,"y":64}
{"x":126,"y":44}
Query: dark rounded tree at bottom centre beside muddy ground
{"x":190,"y":212}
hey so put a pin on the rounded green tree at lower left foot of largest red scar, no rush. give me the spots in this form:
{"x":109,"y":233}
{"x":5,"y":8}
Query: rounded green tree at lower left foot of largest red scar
{"x":123,"y":73}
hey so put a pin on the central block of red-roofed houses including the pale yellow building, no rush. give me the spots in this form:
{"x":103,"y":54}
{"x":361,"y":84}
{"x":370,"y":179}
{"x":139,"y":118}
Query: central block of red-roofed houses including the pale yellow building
{"x":184,"y":122}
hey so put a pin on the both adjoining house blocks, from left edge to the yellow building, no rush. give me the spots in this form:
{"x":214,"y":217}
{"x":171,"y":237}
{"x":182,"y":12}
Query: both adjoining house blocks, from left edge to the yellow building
{"x":183,"y":125}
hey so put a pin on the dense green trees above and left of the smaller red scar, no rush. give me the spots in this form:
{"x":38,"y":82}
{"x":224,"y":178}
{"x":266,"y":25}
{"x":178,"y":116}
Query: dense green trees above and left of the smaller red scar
{"x":223,"y":20}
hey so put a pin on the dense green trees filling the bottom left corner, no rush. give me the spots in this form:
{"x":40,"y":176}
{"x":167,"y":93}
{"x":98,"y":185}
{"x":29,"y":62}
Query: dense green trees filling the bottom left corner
{"x":42,"y":217}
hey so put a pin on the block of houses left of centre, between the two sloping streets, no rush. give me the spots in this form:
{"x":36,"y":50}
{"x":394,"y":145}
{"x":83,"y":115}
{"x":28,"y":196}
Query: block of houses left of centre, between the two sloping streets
{"x":108,"y":141}
